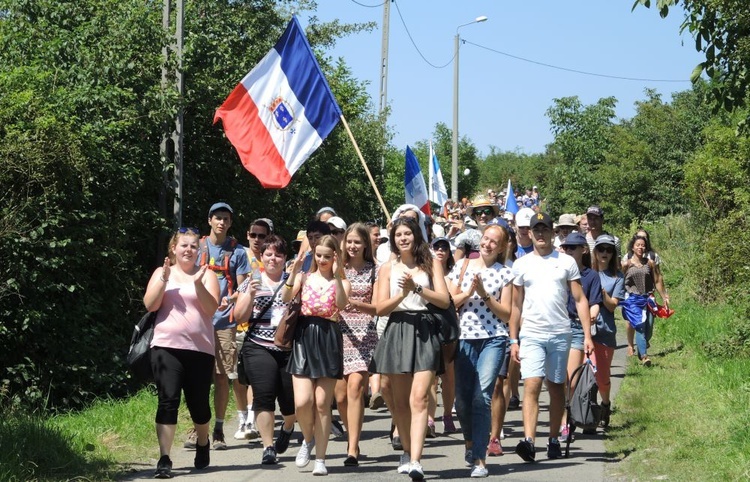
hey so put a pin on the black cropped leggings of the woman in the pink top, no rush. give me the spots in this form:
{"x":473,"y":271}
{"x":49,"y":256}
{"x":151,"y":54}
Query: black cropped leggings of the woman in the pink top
{"x":188,"y":370}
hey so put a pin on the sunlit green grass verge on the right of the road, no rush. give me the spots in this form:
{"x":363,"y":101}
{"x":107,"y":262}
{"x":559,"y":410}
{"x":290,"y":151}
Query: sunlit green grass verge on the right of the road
{"x":688,"y":416}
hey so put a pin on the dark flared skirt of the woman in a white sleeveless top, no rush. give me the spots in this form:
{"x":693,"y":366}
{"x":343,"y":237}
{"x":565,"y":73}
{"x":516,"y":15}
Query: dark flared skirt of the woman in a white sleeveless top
{"x":409,"y":344}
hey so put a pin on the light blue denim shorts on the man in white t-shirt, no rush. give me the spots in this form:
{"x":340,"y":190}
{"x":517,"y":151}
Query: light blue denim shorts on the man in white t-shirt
{"x":545,"y":356}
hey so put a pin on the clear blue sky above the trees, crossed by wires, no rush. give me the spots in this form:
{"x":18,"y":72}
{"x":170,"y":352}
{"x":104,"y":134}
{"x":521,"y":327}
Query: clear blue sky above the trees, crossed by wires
{"x":503,"y":100}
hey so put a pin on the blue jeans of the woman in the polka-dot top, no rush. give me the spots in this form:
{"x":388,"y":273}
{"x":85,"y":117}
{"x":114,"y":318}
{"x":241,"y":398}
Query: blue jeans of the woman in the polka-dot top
{"x":477,"y":366}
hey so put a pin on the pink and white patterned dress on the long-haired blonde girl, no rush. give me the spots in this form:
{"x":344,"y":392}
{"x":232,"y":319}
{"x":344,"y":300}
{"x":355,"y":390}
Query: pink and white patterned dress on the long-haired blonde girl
{"x":358,"y":328}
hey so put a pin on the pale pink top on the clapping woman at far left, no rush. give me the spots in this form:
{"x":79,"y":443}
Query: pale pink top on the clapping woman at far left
{"x":180,"y":322}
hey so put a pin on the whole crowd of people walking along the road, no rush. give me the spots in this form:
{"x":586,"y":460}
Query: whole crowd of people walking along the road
{"x":533,"y":298}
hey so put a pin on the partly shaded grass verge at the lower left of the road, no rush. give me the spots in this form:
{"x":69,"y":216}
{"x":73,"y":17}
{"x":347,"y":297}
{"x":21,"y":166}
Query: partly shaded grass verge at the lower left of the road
{"x":106,"y":440}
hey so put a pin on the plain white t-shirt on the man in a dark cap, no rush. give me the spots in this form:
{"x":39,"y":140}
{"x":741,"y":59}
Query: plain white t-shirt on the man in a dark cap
{"x":545,"y":281}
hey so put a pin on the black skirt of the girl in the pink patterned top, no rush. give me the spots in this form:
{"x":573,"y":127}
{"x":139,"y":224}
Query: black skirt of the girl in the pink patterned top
{"x":318,"y":349}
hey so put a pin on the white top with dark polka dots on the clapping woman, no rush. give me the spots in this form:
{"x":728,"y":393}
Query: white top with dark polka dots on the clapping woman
{"x":476,"y":319}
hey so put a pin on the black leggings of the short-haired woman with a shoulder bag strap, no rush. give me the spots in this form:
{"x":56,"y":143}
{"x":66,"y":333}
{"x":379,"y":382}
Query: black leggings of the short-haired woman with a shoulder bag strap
{"x":266,"y":372}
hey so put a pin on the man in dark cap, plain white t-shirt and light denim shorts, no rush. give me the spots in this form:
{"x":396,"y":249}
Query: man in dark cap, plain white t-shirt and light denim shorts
{"x":541,"y":283}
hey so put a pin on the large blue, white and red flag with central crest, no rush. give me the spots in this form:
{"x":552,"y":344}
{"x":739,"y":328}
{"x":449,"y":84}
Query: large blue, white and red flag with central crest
{"x":281,"y":111}
